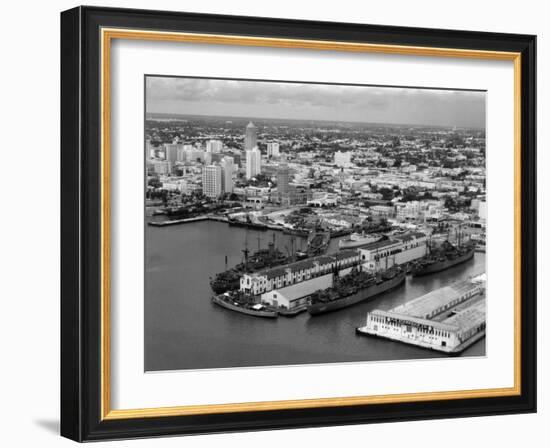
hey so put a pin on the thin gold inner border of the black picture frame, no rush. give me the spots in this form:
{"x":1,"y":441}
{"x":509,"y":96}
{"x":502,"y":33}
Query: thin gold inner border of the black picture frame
{"x":107,"y":35}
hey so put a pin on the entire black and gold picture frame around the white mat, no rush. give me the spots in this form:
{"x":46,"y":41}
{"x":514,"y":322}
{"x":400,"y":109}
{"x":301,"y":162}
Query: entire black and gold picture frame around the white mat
{"x":86,"y":37}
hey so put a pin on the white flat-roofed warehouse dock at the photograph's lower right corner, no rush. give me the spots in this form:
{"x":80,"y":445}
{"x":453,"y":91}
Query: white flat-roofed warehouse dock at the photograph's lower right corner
{"x":446,"y":320}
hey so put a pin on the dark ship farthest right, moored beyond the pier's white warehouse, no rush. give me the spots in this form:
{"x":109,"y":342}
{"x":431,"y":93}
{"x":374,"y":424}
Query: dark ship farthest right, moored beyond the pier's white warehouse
{"x":444,"y":258}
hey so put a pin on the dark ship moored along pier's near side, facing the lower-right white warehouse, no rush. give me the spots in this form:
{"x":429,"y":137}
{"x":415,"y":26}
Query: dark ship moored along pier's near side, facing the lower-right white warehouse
{"x":353,"y":288}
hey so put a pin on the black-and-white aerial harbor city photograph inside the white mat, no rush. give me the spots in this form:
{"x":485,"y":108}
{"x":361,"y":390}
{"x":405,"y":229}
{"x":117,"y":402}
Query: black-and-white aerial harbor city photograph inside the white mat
{"x":296,"y":223}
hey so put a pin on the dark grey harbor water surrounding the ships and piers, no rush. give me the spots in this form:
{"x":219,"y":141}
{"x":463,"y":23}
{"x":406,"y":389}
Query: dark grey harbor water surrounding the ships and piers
{"x":184,"y":330}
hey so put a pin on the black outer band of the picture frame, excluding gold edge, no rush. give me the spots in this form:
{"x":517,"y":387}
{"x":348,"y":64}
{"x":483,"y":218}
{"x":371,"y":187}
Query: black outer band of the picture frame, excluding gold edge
{"x":81,"y":206}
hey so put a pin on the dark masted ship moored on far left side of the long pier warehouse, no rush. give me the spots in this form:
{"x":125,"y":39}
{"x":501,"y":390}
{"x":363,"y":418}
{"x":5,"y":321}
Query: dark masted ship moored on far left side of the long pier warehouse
{"x":264,"y":258}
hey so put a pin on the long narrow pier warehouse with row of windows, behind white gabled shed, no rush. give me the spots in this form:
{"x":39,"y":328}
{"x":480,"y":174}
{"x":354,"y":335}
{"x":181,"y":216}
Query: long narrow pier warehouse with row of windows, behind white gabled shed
{"x":279,"y":277}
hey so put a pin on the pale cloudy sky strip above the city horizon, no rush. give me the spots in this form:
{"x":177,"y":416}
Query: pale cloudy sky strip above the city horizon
{"x":266,"y":99}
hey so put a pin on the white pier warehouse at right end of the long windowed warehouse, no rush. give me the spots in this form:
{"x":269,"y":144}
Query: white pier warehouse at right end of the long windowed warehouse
{"x":398,"y":250}
